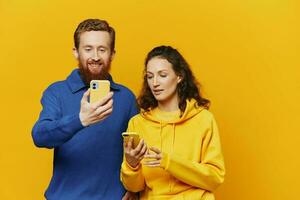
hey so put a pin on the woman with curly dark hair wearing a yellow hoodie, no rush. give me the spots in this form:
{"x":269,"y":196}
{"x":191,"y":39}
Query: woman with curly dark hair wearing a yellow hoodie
{"x":184,"y":158}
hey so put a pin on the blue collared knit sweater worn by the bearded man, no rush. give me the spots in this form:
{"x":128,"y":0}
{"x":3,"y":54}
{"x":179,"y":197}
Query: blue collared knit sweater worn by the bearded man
{"x":87,"y":160}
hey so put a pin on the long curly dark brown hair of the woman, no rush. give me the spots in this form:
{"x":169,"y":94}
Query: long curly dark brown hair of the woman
{"x":187,"y":88}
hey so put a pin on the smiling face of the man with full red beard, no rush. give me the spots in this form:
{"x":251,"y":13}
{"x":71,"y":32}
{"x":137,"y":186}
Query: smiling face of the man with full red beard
{"x":94,"y":55}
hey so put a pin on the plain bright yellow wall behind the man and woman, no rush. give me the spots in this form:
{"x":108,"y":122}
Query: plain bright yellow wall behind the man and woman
{"x":244,"y":52}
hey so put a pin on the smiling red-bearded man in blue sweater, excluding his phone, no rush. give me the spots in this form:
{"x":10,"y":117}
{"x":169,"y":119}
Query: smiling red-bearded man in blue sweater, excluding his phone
{"x":86,"y":137}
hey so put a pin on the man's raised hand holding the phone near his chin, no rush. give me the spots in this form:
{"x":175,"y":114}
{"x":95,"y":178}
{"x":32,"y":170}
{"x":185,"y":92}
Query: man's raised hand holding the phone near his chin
{"x":92,"y":113}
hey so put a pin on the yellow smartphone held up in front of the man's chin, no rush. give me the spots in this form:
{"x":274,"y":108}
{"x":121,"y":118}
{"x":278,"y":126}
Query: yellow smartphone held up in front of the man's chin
{"x":98,"y":89}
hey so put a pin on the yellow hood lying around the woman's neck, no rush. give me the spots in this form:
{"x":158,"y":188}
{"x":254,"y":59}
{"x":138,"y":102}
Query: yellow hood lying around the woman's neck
{"x":190,"y":111}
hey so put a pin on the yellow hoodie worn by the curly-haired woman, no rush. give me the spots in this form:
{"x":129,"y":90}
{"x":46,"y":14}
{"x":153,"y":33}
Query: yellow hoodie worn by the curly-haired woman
{"x":192,"y":166}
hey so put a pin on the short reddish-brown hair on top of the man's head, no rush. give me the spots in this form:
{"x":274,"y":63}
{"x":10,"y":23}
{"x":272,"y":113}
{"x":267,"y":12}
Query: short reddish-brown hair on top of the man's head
{"x":94,"y":25}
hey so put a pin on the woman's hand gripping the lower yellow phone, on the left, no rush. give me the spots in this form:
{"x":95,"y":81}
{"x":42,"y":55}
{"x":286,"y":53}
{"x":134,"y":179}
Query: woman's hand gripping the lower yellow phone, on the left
{"x":134,"y":156}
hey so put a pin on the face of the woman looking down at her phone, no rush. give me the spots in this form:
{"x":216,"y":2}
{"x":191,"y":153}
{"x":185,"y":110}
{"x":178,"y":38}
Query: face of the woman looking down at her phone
{"x":162,"y":80}
